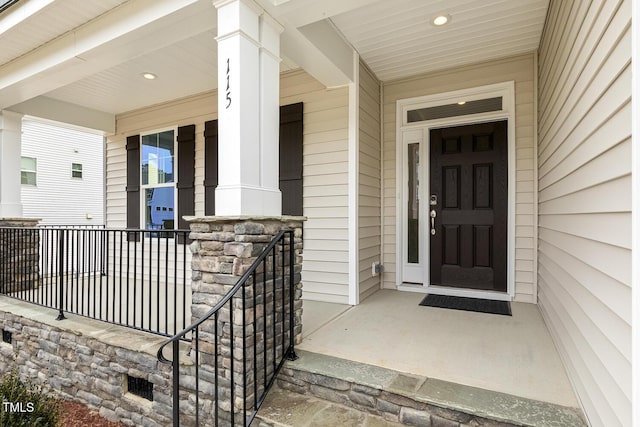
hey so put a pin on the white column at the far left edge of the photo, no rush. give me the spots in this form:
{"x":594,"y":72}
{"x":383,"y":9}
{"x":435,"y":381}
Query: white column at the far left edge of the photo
{"x":10,"y":148}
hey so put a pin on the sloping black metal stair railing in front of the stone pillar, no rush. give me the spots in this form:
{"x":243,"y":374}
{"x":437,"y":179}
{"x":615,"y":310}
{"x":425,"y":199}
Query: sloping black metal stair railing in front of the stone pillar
{"x":240,"y":345}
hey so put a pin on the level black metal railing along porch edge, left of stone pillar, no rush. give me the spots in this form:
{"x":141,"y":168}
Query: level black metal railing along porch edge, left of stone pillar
{"x":132,"y":278}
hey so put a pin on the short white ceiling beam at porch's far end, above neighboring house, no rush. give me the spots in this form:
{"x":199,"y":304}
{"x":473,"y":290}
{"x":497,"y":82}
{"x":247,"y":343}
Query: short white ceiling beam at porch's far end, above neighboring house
{"x":65,"y":112}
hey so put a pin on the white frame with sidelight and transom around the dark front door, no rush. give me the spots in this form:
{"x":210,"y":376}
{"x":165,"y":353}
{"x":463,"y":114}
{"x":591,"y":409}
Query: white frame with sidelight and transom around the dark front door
{"x":420,"y":132}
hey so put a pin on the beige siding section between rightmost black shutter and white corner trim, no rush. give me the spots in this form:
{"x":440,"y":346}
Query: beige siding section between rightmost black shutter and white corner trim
{"x":325,"y":272}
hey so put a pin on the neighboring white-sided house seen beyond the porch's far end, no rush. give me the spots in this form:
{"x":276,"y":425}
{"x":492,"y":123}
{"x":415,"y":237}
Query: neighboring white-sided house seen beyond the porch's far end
{"x":62,"y":173}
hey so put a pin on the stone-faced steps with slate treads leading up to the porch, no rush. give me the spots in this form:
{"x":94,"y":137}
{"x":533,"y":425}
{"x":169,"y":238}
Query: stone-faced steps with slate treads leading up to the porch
{"x":316,"y":382}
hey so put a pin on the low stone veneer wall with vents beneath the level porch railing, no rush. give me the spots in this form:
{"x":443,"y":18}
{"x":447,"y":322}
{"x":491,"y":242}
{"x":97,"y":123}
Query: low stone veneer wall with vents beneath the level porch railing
{"x":80,"y":367}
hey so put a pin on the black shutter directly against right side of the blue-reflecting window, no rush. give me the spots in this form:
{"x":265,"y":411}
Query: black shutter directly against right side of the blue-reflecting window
{"x":186,"y":175}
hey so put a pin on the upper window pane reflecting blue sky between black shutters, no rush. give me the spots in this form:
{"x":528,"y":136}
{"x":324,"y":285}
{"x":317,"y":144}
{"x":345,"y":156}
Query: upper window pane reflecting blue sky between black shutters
{"x":157,"y":158}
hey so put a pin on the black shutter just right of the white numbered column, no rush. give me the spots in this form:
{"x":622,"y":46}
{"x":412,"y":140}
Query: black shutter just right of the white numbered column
{"x":291,"y":158}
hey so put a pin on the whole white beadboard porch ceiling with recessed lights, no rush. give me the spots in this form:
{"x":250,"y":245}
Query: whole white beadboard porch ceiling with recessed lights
{"x":395,"y":38}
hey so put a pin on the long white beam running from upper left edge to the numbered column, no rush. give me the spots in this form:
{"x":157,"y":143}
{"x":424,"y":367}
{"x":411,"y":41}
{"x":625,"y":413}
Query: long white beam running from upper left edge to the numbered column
{"x":124,"y":33}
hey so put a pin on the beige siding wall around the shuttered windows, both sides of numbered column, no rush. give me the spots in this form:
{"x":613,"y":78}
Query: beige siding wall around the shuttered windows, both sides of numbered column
{"x":325,"y":173}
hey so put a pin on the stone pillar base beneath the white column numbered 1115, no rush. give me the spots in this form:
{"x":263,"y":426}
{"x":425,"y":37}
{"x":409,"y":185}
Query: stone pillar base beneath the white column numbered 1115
{"x":223,"y":250}
